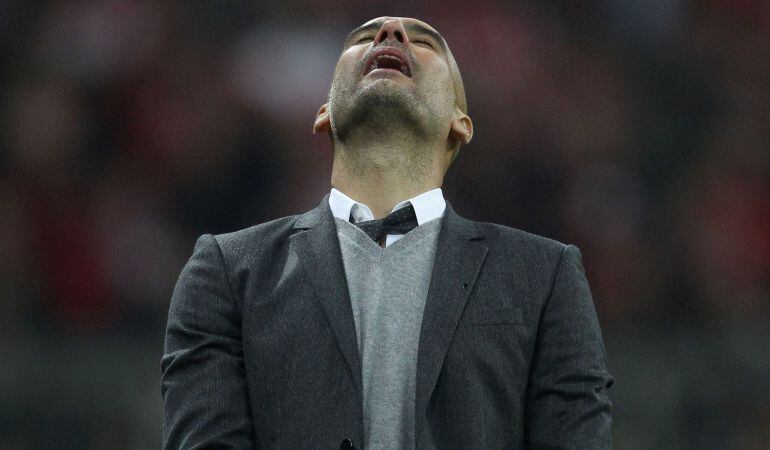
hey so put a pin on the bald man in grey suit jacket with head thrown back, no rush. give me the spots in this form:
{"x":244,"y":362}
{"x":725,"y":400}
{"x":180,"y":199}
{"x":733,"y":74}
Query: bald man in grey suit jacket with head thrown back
{"x":382,"y":318}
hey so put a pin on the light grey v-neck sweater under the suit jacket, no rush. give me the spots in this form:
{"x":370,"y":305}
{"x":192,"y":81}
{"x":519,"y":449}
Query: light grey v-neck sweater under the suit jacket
{"x":388,"y":287}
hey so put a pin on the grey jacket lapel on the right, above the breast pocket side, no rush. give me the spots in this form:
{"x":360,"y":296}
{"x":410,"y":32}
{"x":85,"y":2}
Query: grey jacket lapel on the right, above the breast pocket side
{"x":460,"y":253}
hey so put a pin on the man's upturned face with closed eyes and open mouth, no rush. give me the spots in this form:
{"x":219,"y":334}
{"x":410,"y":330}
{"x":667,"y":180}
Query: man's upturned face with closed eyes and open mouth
{"x":395,"y":72}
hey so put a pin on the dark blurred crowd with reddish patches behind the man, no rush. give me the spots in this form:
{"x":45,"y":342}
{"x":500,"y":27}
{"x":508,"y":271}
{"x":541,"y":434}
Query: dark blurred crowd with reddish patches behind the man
{"x":638,"y":130}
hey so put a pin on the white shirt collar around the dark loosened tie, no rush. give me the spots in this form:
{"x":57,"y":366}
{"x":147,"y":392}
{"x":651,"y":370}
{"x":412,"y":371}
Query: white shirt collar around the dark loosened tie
{"x":427,"y":206}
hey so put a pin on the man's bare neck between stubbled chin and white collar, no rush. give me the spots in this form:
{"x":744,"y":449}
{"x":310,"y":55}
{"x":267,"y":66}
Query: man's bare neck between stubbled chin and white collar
{"x":381,"y":175}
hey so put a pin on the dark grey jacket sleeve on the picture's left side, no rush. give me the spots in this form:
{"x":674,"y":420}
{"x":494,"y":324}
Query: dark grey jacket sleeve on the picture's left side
{"x":203,"y":381}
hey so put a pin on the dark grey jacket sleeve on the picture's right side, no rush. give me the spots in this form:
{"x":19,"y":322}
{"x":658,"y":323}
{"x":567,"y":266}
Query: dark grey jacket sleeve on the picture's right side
{"x":567,"y":402}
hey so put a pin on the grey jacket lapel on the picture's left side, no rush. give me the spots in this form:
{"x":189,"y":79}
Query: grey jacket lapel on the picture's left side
{"x":319,"y":253}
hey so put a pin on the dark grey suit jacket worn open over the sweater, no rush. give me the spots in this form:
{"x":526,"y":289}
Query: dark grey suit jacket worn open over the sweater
{"x":261,"y":352}
